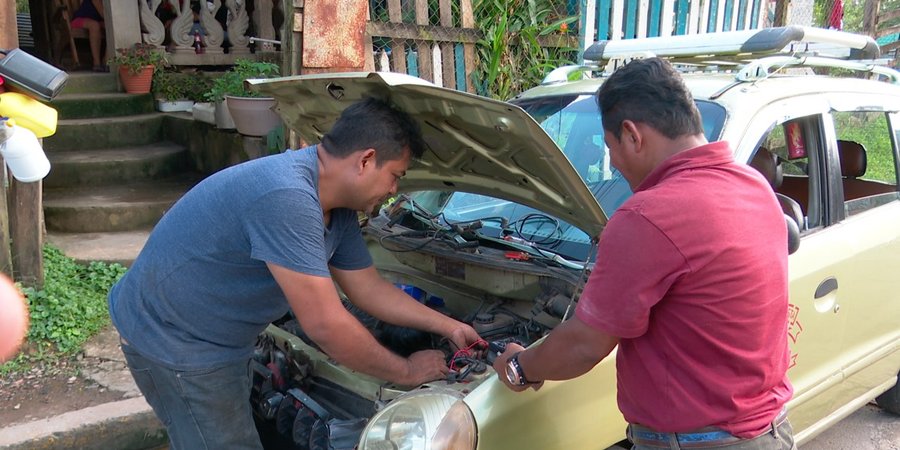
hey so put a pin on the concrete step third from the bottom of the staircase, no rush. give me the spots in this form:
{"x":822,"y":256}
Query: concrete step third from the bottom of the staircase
{"x":116,"y":166}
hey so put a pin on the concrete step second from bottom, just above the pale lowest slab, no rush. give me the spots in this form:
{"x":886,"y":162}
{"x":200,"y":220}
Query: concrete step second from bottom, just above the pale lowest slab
{"x":124,"y":207}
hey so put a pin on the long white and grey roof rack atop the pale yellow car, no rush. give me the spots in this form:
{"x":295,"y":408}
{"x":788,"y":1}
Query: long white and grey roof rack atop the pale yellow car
{"x":739,"y":47}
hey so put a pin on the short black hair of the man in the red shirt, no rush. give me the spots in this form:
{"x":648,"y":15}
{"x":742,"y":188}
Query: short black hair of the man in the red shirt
{"x":652,"y":92}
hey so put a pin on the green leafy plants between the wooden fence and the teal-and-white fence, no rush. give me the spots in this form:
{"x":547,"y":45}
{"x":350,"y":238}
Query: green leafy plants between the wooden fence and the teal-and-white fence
{"x":511,"y":58}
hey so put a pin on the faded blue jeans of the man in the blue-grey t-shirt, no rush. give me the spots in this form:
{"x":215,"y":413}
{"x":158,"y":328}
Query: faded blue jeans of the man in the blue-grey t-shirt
{"x":201,"y":409}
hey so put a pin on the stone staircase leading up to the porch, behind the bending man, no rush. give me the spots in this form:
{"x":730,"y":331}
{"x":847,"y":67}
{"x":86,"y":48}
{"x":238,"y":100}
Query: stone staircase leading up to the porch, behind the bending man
{"x":113,"y":170}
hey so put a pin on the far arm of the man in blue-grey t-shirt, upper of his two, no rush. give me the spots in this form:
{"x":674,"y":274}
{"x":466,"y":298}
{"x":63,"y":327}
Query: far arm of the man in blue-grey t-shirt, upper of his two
{"x":376,"y":296}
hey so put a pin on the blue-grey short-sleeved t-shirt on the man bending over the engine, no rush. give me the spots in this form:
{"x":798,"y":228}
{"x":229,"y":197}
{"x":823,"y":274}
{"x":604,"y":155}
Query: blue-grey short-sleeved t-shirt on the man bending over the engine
{"x":199,"y":293}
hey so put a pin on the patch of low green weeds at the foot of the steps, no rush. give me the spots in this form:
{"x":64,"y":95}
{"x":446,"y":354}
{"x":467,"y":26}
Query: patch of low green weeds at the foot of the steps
{"x":66,"y":312}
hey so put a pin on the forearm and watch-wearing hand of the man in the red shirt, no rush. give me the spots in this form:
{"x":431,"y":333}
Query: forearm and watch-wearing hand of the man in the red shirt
{"x":571,"y":350}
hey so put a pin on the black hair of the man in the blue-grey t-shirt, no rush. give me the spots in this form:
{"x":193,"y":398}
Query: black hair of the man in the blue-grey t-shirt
{"x":374,"y":123}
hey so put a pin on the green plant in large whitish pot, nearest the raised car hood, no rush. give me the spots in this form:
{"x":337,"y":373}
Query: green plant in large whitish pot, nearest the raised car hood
{"x":251,"y":113}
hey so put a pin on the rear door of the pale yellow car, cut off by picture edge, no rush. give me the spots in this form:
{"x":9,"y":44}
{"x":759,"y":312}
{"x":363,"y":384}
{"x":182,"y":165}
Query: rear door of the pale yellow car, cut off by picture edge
{"x":866,"y":148}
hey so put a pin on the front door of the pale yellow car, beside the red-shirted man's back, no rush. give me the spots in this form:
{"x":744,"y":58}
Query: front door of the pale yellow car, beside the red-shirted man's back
{"x":794,"y":130}
